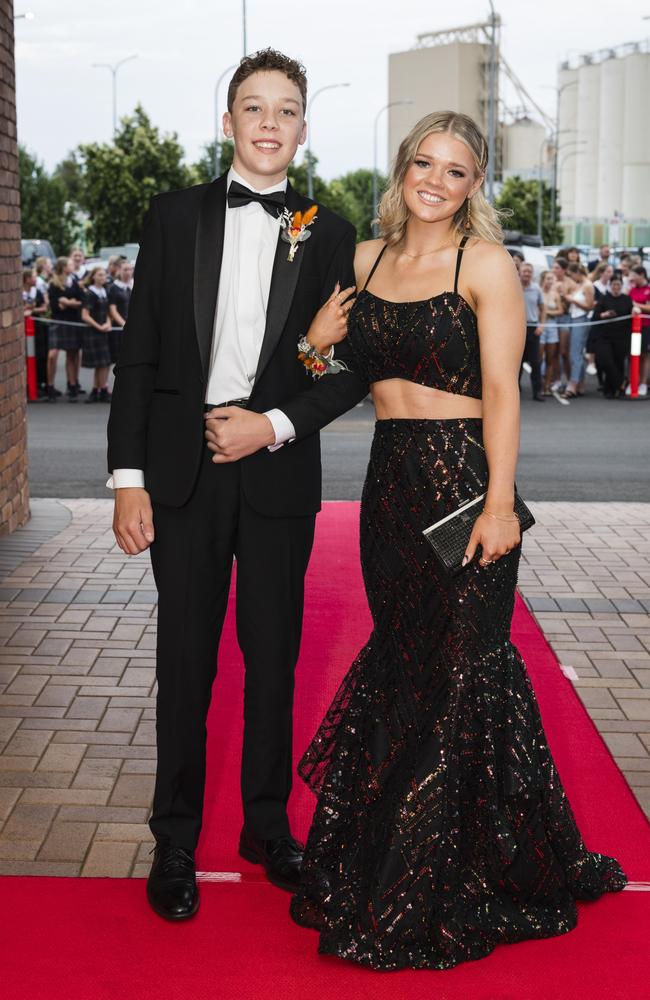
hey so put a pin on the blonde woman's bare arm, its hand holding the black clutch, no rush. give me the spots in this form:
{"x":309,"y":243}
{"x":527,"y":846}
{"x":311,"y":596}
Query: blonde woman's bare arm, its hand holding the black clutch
{"x":501,"y":315}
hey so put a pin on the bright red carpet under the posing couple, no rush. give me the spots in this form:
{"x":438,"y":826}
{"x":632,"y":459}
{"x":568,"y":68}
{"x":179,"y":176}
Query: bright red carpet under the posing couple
{"x":96,"y":940}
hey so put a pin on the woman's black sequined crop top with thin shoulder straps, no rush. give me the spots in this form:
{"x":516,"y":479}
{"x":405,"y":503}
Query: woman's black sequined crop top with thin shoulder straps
{"x":433,"y":342}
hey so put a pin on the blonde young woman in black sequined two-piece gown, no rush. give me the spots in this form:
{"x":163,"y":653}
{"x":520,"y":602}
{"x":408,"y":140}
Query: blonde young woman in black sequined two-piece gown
{"x":441,"y":827}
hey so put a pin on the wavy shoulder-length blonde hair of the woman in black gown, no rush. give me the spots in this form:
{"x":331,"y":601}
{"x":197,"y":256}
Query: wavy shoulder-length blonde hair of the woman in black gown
{"x":485,"y":221}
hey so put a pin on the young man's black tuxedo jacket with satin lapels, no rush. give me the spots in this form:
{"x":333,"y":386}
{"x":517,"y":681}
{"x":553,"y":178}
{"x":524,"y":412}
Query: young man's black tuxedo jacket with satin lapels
{"x":156,"y":420}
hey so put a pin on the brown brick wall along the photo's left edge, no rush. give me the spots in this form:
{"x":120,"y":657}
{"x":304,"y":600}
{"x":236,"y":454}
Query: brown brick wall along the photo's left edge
{"x":14,"y":495}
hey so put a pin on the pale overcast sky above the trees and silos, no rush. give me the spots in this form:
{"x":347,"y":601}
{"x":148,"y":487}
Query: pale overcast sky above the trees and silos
{"x":183,"y":46}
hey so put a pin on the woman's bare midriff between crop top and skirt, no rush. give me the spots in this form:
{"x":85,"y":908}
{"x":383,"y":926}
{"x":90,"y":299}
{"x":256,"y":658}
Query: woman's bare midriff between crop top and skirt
{"x":398,"y":399}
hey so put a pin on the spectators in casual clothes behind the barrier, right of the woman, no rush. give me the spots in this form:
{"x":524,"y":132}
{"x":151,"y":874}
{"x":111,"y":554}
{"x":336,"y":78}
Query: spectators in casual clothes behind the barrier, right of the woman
{"x":578,"y":323}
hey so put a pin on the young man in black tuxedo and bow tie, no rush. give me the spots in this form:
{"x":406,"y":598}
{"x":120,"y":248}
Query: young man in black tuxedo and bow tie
{"x":214,"y":452}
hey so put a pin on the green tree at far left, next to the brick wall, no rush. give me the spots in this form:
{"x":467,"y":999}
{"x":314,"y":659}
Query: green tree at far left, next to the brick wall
{"x":45,"y":211}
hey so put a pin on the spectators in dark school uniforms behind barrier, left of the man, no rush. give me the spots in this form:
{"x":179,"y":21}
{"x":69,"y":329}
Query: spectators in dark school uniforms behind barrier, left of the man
{"x":80,"y":310}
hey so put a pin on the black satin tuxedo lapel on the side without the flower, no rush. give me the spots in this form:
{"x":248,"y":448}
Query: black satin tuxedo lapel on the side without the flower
{"x":208,"y":253}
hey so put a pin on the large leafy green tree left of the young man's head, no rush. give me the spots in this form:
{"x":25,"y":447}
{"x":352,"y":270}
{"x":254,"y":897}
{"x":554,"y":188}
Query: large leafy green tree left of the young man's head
{"x":120,"y":178}
